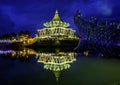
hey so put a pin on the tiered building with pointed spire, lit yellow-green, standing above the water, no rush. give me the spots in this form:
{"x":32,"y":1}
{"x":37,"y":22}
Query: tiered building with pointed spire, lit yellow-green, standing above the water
{"x":56,"y":29}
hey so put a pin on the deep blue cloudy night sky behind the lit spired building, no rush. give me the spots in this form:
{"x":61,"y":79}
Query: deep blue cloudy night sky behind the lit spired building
{"x":17,"y":15}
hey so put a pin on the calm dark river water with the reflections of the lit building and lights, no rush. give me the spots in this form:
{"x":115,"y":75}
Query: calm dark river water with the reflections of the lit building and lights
{"x":56,"y":67}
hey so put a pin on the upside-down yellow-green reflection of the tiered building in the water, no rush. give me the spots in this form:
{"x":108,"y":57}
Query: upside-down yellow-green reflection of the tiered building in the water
{"x":56,"y":62}
